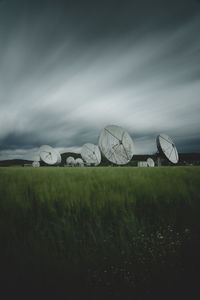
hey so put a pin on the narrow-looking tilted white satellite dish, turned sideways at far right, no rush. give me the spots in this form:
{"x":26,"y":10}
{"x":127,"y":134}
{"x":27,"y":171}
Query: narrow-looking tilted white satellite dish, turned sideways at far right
{"x":167,"y":148}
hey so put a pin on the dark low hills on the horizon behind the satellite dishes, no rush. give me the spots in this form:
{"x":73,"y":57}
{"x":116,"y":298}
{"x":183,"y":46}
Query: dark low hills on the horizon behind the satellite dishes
{"x":184,"y":159}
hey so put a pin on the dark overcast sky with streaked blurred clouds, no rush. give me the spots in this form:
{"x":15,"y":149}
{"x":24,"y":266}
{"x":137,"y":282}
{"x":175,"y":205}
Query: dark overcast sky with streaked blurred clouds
{"x":68,"y":68}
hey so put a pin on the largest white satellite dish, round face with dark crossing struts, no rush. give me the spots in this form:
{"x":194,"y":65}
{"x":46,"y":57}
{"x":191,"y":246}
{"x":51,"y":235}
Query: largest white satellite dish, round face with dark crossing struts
{"x":116,"y":144}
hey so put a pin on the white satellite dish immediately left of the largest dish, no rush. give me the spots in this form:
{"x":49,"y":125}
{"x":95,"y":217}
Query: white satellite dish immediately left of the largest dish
{"x":91,"y":154}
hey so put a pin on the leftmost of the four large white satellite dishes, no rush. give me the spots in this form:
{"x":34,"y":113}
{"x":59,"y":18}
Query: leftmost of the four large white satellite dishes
{"x":49,"y":155}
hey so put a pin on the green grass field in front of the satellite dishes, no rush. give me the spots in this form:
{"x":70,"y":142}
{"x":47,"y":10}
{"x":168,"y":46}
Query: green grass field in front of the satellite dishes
{"x":116,"y":233}
